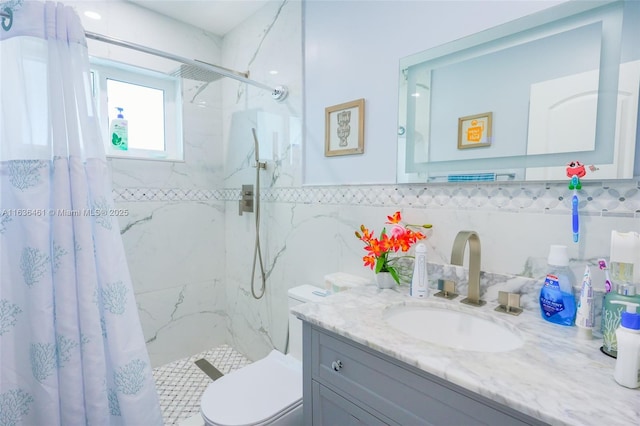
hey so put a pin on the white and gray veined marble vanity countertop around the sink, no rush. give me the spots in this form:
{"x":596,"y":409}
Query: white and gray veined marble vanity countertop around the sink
{"x":555,"y":376}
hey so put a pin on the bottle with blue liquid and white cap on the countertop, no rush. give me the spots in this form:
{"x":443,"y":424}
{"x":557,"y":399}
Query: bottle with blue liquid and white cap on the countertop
{"x":557,"y":302}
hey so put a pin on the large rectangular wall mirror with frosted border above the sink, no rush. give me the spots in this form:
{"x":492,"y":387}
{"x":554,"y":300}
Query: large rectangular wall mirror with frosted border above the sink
{"x":522,"y":100}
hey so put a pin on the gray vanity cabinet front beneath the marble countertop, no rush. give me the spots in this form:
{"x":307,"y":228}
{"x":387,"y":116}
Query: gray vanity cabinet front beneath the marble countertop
{"x":346,"y":383}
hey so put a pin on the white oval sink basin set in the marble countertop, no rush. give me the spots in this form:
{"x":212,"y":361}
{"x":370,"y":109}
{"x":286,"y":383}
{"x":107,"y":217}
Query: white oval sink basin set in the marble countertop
{"x":454,"y":329}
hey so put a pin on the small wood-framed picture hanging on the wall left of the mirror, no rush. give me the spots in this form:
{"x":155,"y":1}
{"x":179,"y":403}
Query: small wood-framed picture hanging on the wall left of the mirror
{"x":344,"y":129}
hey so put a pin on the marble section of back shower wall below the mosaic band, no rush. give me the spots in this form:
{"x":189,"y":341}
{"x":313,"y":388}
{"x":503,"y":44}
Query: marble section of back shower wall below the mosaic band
{"x":177,"y":273}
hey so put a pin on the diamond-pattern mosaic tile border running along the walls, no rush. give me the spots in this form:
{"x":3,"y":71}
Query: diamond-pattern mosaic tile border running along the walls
{"x":615,"y":198}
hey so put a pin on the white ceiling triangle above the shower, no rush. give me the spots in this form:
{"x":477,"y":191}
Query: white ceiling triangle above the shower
{"x":216,"y":16}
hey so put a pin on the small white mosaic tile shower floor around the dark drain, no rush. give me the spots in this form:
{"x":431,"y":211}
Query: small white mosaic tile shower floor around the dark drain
{"x":180,"y":384}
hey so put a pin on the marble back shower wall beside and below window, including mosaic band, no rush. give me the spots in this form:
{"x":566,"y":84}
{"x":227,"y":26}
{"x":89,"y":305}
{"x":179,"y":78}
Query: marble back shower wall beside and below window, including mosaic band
{"x":177,"y":271}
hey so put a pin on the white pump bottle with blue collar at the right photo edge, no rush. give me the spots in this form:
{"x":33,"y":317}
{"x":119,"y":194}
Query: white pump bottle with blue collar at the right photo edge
{"x":627,"y":369}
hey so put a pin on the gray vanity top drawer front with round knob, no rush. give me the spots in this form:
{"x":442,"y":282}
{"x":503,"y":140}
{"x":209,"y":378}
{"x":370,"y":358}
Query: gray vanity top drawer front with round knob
{"x":404,"y":394}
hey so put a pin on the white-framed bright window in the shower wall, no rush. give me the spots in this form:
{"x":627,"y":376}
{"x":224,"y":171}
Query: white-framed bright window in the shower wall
{"x":150,"y":102}
